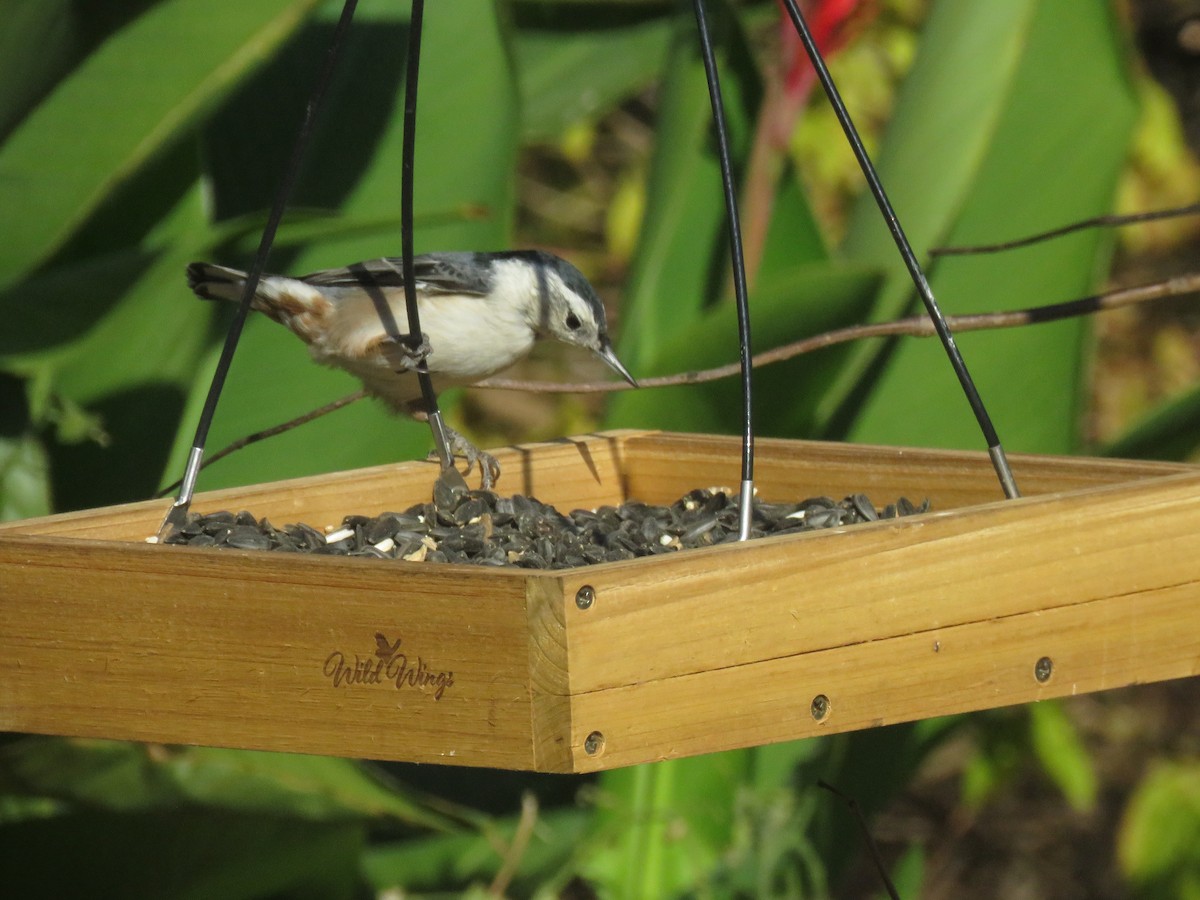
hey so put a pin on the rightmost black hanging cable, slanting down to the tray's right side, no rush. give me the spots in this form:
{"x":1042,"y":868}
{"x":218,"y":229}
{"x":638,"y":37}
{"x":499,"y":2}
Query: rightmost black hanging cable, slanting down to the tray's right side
{"x":999,"y":460}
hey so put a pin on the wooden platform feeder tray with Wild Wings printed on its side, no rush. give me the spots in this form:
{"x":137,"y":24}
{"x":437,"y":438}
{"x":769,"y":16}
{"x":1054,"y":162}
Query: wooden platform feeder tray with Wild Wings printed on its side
{"x":1093,"y":581}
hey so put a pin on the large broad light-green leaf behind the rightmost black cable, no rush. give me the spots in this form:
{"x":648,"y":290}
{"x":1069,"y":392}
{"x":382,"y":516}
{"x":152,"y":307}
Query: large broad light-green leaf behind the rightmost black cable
{"x":975,"y":153}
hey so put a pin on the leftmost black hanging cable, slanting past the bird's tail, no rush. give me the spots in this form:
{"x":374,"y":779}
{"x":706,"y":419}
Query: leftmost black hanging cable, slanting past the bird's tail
{"x":178,"y":512}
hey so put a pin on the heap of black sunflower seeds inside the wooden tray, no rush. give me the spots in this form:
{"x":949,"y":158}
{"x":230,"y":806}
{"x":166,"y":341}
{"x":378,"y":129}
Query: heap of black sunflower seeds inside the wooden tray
{"x":481,"y":527}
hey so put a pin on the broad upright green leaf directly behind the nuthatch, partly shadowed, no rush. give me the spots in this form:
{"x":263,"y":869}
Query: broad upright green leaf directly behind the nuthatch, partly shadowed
{"x":460,"y":164}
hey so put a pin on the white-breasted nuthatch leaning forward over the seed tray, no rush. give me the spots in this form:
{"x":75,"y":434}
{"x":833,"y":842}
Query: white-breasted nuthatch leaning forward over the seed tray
{"x":479,"y":314}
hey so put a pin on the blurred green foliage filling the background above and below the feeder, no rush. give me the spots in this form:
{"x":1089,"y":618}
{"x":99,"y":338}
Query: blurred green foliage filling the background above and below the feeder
{"x":139,"y":137}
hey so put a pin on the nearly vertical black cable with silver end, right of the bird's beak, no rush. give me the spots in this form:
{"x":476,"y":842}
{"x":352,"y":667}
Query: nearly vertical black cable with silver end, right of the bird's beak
{"x":740,"y":273}
